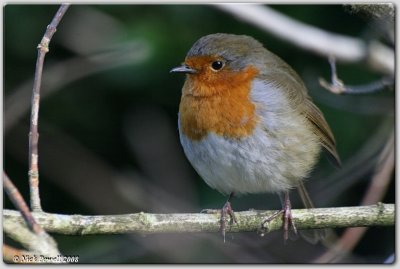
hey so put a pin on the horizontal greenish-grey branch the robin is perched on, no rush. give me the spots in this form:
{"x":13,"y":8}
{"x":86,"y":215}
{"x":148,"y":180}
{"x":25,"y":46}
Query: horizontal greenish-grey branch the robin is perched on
{"x":248,"y":221}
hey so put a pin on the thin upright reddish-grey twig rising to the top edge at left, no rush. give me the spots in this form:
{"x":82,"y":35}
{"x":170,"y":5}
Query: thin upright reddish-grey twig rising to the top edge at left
{"x":43,"y":48}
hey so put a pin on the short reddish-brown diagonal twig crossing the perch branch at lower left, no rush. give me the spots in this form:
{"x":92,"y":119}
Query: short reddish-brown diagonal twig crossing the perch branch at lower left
{"x":19,"y":202}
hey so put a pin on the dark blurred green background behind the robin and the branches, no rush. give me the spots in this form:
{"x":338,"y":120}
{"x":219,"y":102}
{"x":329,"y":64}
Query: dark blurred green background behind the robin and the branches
{"x":108,"y":127}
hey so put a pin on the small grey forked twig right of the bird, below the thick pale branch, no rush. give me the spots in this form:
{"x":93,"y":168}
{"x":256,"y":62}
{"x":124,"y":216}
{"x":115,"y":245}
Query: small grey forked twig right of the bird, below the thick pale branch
{"x":338,"y":87}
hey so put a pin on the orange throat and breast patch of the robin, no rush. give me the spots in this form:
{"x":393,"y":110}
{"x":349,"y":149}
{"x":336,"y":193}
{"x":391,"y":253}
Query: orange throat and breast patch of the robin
{"x":218,"y":102}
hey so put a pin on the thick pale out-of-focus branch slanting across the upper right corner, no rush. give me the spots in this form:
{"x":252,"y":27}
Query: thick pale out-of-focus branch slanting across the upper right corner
{"x":343,"y":48}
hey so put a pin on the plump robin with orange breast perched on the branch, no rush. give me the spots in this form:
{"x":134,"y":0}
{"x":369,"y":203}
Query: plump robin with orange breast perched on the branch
{"x":247,"y":123}
